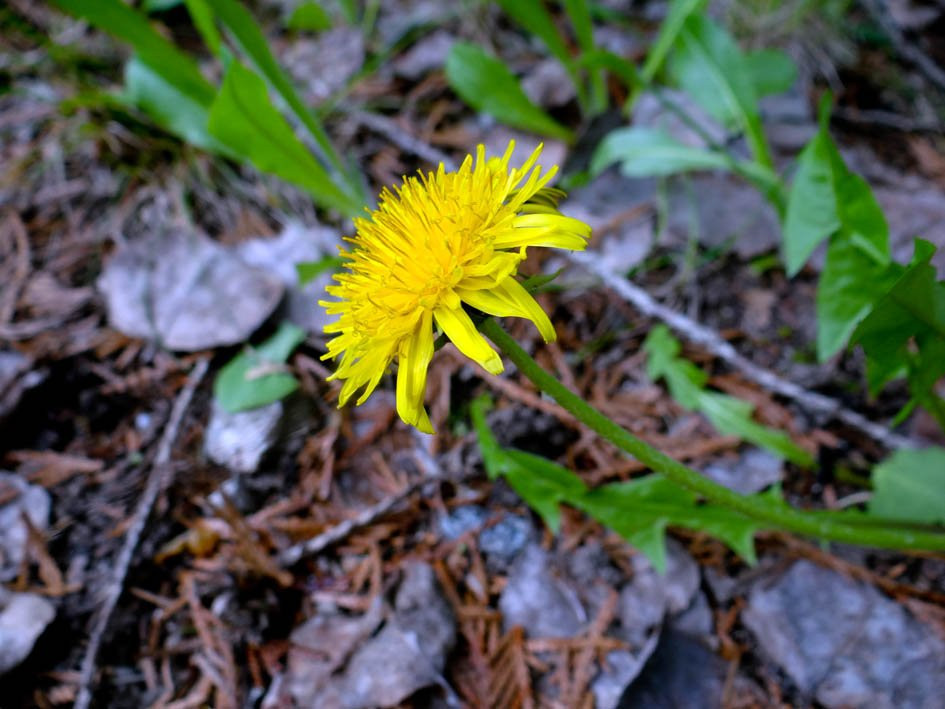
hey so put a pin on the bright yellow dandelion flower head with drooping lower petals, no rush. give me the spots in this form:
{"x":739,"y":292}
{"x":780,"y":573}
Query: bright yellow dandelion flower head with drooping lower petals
{"x":440,"y":240}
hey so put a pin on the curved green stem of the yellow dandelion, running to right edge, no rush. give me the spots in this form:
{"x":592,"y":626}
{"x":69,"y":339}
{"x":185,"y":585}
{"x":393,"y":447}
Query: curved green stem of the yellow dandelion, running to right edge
{"x":772,"y":516}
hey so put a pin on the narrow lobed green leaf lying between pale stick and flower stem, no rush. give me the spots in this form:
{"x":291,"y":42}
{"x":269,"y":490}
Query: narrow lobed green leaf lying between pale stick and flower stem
{"x":729,"y":415}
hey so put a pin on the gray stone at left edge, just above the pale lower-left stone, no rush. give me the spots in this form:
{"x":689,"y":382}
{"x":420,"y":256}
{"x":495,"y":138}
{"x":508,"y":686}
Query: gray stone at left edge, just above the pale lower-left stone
{"x":30,"y":500}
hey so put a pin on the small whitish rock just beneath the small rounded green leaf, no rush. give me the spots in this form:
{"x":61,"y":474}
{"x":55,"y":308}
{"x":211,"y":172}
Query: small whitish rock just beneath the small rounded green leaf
{"x":239,"y":441}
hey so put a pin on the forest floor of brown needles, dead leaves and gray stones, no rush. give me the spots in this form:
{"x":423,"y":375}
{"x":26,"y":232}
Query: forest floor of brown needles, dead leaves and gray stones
{"x":302,"y":555}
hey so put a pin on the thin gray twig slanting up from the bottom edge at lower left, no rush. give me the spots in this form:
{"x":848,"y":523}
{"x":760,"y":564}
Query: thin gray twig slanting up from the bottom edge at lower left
{"x":158,"y":479}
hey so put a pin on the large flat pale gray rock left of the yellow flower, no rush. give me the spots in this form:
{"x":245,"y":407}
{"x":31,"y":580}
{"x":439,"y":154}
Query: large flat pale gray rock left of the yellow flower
{"x":186,"y":291}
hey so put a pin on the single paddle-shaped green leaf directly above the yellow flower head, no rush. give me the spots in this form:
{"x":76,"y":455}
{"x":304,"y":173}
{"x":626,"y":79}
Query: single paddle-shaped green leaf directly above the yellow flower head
{"x":487,"y":85}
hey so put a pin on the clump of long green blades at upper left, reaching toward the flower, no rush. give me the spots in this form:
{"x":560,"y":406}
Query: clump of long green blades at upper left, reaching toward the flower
{"x":237,"y":119}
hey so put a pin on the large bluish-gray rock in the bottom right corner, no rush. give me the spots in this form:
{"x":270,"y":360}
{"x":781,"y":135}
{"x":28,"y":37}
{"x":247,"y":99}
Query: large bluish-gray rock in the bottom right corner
{"x":844,"y":643}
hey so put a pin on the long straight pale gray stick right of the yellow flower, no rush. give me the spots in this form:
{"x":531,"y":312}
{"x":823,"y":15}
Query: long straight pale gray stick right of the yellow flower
{"x":710,"y":340}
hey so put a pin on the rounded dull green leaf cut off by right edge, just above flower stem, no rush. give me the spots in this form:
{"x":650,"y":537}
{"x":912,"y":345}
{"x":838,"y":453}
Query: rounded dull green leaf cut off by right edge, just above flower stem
{"x":910,"y":486}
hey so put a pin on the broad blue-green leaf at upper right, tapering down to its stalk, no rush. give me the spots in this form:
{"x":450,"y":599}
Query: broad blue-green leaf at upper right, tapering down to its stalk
{"x":709,"y":66}
